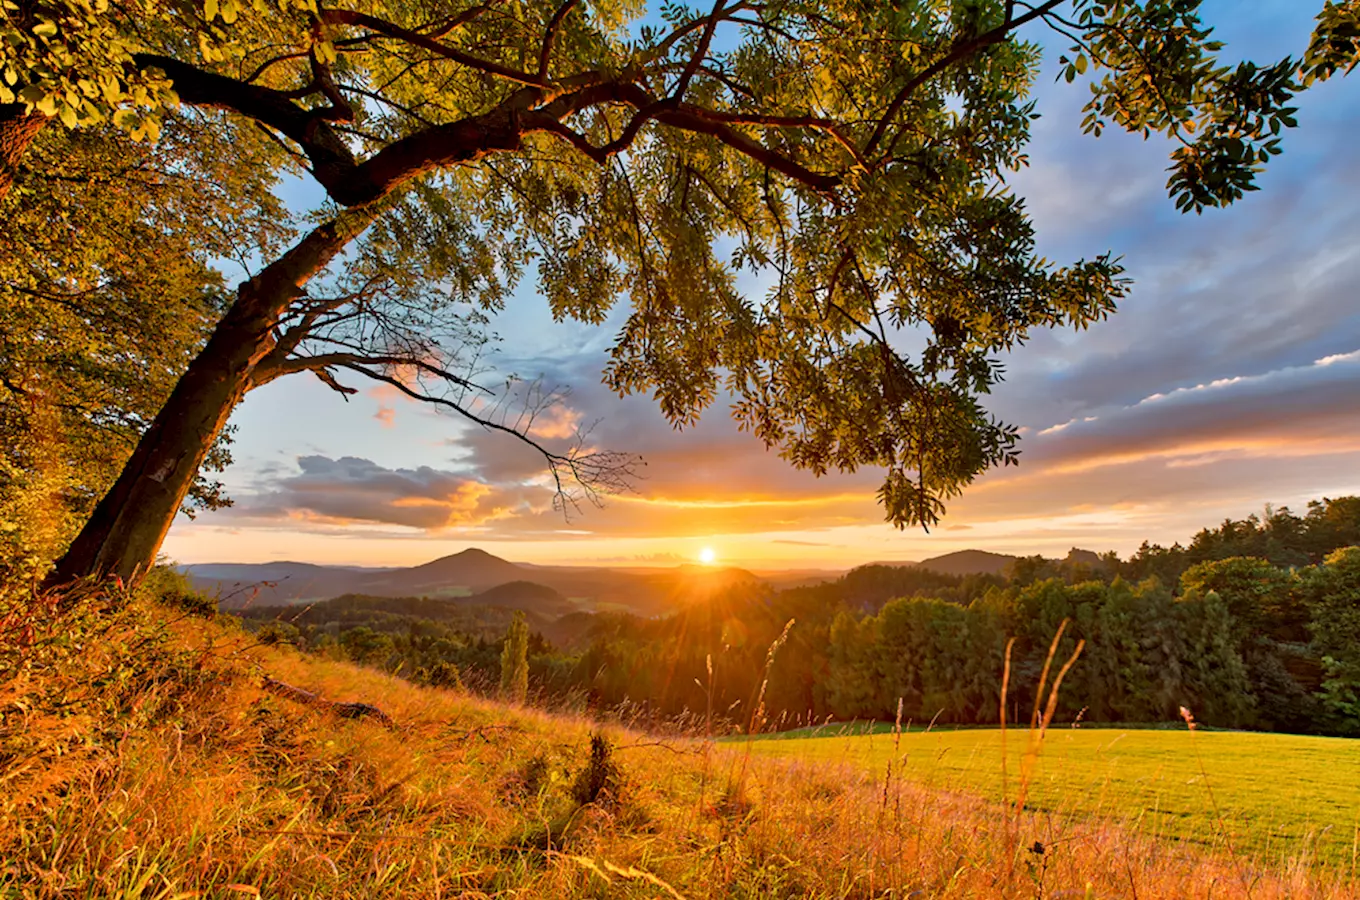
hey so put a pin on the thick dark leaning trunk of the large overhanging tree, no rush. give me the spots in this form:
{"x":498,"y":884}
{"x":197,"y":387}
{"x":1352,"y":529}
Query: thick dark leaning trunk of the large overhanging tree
{"x":127,"y":528}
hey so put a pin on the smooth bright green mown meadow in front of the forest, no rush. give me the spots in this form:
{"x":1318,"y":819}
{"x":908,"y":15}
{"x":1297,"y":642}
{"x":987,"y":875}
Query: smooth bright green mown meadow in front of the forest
{"x":1279,"y":796}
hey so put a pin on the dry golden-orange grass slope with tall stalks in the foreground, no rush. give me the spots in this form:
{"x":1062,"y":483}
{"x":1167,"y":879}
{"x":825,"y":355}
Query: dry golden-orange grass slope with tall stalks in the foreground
{"x":150,"y":763}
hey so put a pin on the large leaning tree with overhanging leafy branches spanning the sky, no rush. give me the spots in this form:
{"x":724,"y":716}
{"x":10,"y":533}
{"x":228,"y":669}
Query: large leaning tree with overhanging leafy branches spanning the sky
{"x":855,"y":157}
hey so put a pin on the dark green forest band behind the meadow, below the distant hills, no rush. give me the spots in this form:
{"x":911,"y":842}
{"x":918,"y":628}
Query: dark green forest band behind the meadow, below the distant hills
{"x":1255,"y":625}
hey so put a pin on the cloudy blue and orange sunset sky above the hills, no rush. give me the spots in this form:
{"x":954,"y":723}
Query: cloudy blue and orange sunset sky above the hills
{"x":1229,"y":380}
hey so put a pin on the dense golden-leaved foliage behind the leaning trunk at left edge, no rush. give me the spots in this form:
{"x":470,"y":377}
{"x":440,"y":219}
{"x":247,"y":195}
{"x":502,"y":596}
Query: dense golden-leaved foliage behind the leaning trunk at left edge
{"x":95,"y":330}
